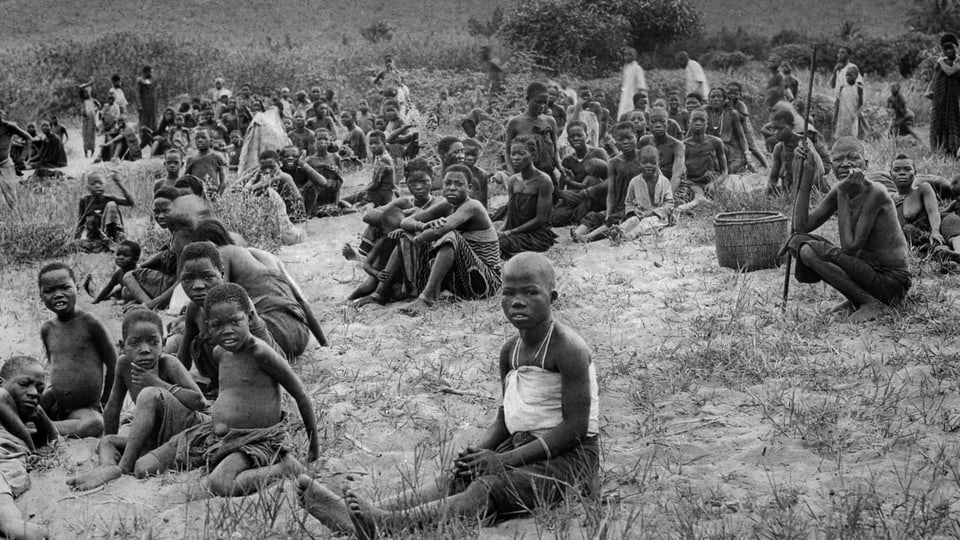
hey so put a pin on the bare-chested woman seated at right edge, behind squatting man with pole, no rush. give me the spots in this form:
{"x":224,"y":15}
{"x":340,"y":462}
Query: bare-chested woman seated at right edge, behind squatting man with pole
{"x":919,"y":213}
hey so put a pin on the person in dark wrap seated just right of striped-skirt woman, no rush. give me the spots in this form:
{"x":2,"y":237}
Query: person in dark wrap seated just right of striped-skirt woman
{"x":530,"y":192}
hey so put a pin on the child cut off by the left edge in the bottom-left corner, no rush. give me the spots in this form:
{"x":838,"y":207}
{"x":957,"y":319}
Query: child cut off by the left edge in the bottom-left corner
{"x":22,"y":379}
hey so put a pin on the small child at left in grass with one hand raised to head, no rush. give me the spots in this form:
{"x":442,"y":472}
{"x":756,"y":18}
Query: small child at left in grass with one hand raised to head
{"x":98,"y":214}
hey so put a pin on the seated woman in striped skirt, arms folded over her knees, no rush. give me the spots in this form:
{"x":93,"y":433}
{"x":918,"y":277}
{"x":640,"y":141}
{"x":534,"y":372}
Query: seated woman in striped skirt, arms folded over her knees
{"x":451,"y":246}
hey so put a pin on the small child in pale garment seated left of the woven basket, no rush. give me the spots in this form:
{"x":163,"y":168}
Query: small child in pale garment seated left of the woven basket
{"x":649,"y":201}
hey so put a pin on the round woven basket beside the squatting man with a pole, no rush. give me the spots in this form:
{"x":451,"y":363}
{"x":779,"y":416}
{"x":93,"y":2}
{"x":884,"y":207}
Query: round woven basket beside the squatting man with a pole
{"x":748,"y":241}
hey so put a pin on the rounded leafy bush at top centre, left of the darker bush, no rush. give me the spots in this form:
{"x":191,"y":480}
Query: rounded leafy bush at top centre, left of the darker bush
{"x":567,"y":35}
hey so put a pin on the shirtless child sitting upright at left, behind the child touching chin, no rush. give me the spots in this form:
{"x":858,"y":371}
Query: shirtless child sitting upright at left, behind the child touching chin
{"x":81,"y":357}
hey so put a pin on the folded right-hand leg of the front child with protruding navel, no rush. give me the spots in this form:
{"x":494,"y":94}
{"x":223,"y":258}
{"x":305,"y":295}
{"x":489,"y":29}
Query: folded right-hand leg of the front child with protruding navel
{"x":236,"y":475}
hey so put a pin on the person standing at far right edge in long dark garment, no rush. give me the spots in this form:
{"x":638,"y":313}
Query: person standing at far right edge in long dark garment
{"x":945,"y":96}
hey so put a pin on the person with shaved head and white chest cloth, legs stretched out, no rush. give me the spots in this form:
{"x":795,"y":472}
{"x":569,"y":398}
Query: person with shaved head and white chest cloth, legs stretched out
{"x":542,"y":446}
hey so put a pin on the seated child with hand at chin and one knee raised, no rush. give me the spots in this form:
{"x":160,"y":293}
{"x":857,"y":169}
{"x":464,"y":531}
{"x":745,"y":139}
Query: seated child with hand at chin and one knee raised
{"x":167,"y":400}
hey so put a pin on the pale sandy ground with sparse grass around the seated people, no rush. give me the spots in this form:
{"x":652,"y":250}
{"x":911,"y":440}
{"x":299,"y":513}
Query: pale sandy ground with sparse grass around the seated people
{"x":722,"y":416}
